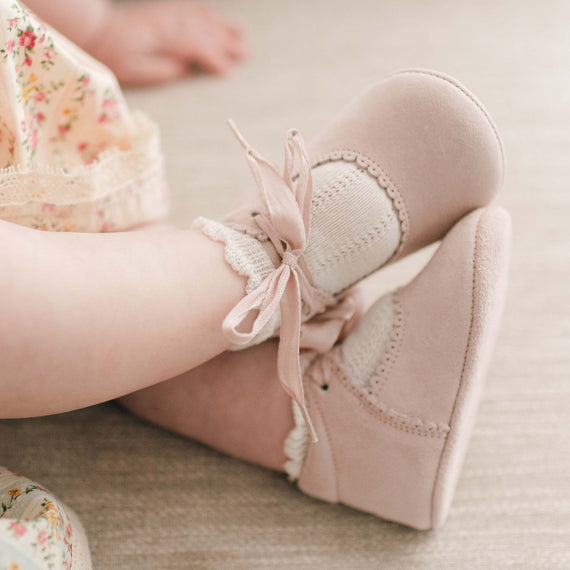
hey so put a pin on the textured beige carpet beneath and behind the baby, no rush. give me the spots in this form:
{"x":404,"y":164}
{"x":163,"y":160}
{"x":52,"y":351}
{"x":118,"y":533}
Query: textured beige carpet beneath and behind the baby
{"x":151,"y":500}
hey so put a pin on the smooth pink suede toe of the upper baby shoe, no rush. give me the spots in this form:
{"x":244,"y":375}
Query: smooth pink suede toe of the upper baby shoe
{"x":434,"y":143}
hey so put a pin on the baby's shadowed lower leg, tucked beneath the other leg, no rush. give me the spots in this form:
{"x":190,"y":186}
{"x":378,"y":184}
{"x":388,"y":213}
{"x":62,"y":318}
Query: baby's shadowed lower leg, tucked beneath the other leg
{"x":233,"y":403}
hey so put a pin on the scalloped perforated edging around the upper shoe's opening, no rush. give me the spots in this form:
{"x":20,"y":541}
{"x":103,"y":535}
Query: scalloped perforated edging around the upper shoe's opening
{"x":384,"y":182}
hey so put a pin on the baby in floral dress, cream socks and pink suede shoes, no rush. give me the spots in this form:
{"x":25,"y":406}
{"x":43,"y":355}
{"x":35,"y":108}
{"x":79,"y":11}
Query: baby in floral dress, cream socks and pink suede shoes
{"x":374,"y":410}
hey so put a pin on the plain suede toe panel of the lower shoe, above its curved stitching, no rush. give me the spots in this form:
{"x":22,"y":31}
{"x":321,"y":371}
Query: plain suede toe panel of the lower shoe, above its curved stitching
{"x":437,"y":300}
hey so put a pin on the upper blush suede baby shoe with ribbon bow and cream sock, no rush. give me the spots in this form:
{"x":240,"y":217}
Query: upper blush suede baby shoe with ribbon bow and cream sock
{"x":391,"y":173}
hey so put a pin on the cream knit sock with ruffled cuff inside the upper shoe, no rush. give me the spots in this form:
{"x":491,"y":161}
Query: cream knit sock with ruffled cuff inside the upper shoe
{"x":354,"y":230}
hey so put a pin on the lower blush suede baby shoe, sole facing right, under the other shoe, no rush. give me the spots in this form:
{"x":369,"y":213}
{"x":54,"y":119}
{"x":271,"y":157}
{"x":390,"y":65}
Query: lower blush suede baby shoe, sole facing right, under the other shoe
{"x":395,"y":403}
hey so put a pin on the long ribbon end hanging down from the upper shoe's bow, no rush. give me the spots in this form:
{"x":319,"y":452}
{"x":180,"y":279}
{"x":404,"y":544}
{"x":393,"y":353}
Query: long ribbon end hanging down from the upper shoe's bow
{"x":288,"y":366}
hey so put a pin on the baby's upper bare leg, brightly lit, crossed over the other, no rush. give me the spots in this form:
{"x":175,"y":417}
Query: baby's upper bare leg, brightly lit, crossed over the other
{"x":90,"y":317}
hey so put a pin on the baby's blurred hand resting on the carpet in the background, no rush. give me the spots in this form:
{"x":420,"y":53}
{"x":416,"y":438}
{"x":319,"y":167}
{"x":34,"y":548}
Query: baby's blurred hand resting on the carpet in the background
{"x":156,"y":42}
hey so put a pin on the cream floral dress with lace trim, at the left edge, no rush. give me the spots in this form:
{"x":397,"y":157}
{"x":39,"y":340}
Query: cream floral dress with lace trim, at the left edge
{"x":73,"y":157}
